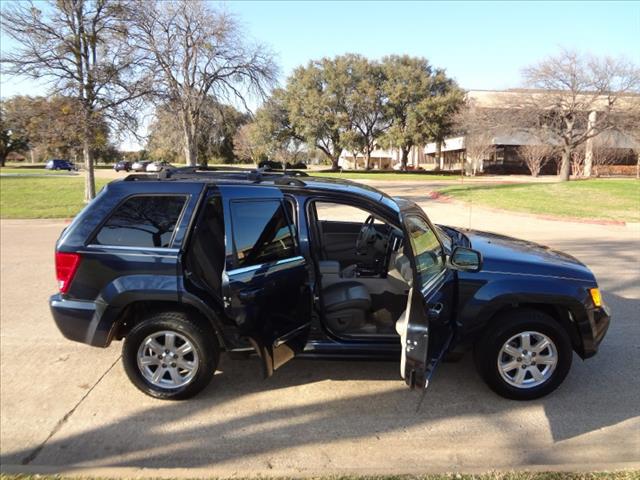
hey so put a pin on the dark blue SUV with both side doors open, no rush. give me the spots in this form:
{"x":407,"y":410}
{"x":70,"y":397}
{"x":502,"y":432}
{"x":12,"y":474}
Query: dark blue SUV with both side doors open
{"x":188,"y":264}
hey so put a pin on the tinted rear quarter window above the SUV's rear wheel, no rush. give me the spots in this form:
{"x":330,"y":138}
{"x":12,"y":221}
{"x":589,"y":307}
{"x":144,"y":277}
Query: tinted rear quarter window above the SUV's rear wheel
{"x":142,"y":221}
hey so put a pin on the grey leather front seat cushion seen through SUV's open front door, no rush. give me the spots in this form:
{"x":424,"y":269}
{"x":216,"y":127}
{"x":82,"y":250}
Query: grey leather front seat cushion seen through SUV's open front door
{"x":346,"y":306}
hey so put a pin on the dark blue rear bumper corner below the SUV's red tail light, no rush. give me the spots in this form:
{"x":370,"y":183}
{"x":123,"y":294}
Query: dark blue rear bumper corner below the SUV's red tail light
{"x":78,"y":320}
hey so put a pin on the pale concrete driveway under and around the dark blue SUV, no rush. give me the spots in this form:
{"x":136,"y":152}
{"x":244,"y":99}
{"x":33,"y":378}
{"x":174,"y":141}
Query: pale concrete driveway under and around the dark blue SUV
{"x":67,"y":406}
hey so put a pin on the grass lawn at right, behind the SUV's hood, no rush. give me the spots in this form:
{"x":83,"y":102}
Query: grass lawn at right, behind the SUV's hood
{"x":608,"y":199}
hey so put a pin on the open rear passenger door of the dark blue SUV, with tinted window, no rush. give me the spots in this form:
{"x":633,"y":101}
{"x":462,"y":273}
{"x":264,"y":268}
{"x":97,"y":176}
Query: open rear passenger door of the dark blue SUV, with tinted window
{"x":266,"y":281}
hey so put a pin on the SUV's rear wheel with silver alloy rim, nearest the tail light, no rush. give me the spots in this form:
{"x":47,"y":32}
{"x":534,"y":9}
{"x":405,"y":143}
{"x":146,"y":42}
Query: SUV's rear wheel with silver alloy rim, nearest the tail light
{"x":170,"y":356}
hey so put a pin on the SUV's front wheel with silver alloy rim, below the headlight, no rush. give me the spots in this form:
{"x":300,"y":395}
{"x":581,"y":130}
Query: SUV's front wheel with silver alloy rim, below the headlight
{"x":526,"y":355}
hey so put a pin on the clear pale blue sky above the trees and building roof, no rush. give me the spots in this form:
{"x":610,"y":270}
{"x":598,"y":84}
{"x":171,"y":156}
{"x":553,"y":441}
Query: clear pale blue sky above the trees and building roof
{"x":483,"y":45}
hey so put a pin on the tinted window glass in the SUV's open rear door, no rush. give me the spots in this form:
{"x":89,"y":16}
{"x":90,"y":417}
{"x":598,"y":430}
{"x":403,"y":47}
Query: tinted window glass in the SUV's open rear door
{"x":261,"y":232}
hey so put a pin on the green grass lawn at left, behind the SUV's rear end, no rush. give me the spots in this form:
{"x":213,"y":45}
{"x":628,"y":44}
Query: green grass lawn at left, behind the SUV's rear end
{"x":41,"y":197}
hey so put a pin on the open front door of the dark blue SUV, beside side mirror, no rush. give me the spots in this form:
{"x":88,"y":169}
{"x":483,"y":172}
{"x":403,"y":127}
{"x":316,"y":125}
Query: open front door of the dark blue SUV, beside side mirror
{"x":426,"y":328}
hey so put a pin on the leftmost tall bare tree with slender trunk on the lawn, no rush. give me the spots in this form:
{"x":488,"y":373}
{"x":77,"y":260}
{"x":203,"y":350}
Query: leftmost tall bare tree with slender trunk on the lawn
{"x":80,"y":47}
